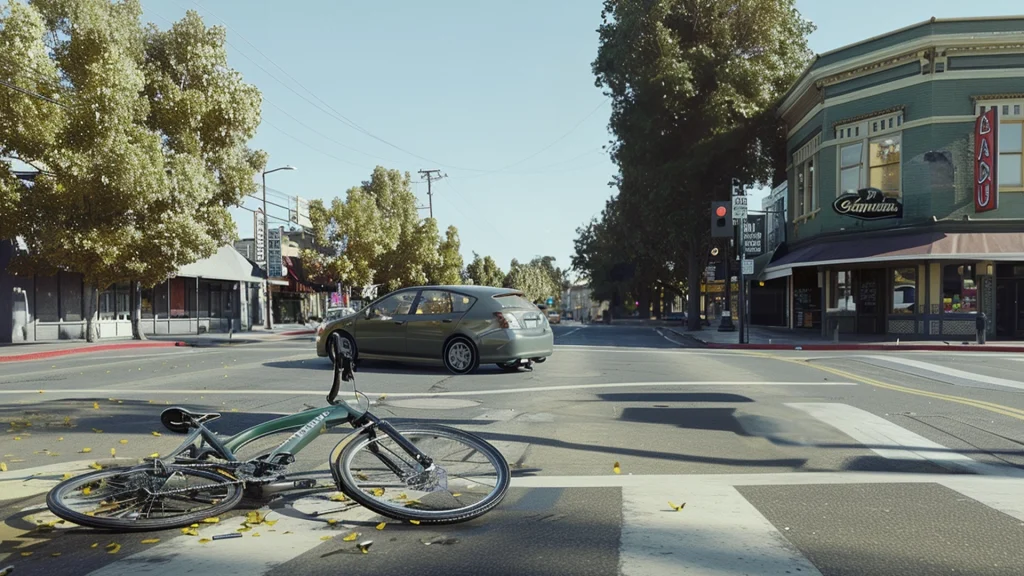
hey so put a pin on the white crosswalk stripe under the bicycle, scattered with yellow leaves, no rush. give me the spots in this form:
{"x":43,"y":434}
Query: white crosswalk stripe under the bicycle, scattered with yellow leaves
{"x":248,"y":555}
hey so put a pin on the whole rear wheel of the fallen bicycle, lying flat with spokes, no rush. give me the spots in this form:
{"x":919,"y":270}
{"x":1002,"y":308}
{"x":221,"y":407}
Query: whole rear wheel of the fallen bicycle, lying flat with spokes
{"x":143,"y":499}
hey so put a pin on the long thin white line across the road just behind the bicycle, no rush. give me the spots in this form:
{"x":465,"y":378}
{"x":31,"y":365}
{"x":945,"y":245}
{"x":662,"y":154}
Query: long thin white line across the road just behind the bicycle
{"x":127,"y":393}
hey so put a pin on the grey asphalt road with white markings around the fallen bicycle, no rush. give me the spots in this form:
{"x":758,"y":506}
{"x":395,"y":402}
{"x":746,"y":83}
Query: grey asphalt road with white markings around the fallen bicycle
{"x":832,"y":464}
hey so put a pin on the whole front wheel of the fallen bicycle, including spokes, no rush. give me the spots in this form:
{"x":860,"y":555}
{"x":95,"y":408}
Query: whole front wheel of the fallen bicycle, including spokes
{"x":470,"y":477}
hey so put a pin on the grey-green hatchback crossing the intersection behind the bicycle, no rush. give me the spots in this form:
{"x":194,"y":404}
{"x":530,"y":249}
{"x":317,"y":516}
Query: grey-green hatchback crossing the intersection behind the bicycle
{"x":458,"y":326}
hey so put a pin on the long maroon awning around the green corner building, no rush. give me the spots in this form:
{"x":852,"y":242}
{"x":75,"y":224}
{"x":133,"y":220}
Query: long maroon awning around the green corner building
{"x":996,"y":246}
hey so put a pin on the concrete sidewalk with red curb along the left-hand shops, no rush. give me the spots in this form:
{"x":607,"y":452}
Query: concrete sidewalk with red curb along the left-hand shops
{"x":24,"y":352}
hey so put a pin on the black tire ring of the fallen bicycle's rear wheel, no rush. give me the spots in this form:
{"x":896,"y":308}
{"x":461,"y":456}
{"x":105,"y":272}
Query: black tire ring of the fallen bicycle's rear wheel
{"x":56,"y":502}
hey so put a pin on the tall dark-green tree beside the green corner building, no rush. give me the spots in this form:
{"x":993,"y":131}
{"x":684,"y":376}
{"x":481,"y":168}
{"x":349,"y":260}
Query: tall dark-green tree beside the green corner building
{"x":693,"y":89}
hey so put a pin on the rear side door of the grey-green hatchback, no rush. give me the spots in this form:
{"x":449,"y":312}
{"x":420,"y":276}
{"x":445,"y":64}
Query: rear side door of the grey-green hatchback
{"x":437,"y":315}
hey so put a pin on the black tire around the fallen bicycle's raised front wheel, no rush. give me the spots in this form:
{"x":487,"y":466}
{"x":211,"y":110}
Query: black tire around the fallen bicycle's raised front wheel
{"x":351,"y":488}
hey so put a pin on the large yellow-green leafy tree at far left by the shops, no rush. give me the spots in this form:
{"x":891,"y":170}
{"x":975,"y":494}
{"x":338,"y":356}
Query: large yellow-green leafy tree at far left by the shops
{"x":144,"y":152}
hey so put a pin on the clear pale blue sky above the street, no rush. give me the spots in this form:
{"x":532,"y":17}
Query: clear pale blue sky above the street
{"x":467,"y":88}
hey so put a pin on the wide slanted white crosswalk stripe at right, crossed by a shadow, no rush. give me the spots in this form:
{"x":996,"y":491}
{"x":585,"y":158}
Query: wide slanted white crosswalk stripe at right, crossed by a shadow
{"x":894,"y":442}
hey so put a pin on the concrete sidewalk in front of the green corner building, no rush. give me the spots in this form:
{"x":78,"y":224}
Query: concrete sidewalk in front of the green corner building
{"x":780,"y":339}
